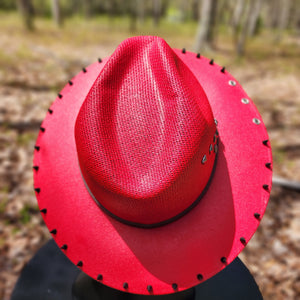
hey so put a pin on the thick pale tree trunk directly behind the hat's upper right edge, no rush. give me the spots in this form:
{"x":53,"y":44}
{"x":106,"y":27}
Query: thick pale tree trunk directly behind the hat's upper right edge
{"x":205,"y":31}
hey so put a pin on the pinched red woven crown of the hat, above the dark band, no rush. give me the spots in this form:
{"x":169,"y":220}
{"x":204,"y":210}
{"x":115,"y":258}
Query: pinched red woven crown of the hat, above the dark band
{"x":142,"y":132}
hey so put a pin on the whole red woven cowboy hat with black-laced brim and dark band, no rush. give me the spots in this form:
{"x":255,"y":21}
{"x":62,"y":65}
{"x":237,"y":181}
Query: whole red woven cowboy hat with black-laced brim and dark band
{"x":152,"y":168}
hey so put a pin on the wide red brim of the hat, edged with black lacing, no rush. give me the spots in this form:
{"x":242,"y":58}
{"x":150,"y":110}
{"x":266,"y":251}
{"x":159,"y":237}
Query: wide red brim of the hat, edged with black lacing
{"x":185,"y":252}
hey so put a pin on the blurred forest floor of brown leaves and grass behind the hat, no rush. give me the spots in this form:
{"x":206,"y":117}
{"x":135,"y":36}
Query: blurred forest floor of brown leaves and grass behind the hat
{"x":35,"y":66}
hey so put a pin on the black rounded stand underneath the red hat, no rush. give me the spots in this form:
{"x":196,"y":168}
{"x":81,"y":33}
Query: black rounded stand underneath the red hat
{"x":50,"y":275}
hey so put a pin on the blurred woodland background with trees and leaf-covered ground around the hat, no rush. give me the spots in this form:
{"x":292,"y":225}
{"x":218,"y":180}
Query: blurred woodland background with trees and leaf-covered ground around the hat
{"x":44,"y":43}
